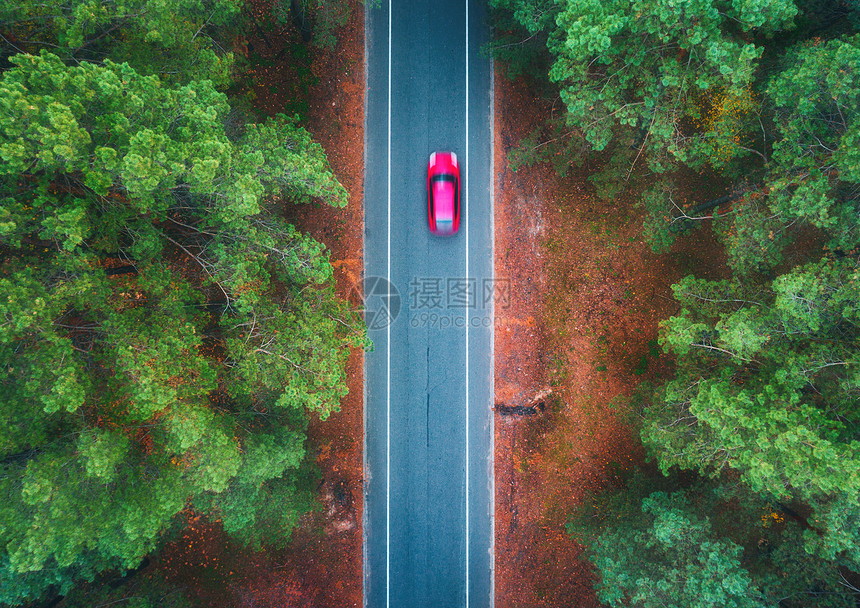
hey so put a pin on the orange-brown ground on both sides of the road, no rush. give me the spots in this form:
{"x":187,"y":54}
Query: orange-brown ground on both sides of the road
{"x":587,"y":294}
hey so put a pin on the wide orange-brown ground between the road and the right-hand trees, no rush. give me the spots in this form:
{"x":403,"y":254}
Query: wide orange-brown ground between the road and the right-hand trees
{"x":587,"y":294}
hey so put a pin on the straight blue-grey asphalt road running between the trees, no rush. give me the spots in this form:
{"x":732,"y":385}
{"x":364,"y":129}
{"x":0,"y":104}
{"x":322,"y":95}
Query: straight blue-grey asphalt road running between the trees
{"x":428,"y":428}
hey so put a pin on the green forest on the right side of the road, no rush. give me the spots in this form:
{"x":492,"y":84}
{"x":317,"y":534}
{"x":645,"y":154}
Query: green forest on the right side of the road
{"x":751,"y":493}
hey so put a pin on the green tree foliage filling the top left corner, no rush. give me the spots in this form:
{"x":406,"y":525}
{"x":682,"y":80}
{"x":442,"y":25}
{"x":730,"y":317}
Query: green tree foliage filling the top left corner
{"x":179,"y":40}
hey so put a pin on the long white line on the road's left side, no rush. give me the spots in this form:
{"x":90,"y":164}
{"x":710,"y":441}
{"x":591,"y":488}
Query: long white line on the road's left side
{"x":388,"y":349}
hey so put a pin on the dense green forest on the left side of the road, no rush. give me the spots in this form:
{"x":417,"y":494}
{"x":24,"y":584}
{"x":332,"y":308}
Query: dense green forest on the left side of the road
{"x":166,"y":334}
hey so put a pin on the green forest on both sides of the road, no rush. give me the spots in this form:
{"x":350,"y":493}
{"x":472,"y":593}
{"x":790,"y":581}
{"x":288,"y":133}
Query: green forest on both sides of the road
{"x":167,"y":335}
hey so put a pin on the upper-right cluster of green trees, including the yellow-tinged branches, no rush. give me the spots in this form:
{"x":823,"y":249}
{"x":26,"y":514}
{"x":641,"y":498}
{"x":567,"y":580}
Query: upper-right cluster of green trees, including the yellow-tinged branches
{"x":679,"y":86}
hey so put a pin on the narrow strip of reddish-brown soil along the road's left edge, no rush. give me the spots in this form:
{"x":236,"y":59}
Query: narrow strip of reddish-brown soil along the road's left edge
{"x":328,"y":550}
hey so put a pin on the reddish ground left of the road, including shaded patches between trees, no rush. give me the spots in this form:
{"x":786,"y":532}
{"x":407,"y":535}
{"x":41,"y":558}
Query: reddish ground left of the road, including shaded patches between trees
{"x":322,"y":564}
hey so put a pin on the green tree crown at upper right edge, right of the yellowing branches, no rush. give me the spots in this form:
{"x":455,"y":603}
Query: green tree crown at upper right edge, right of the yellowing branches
{"x":811,"y":176}
